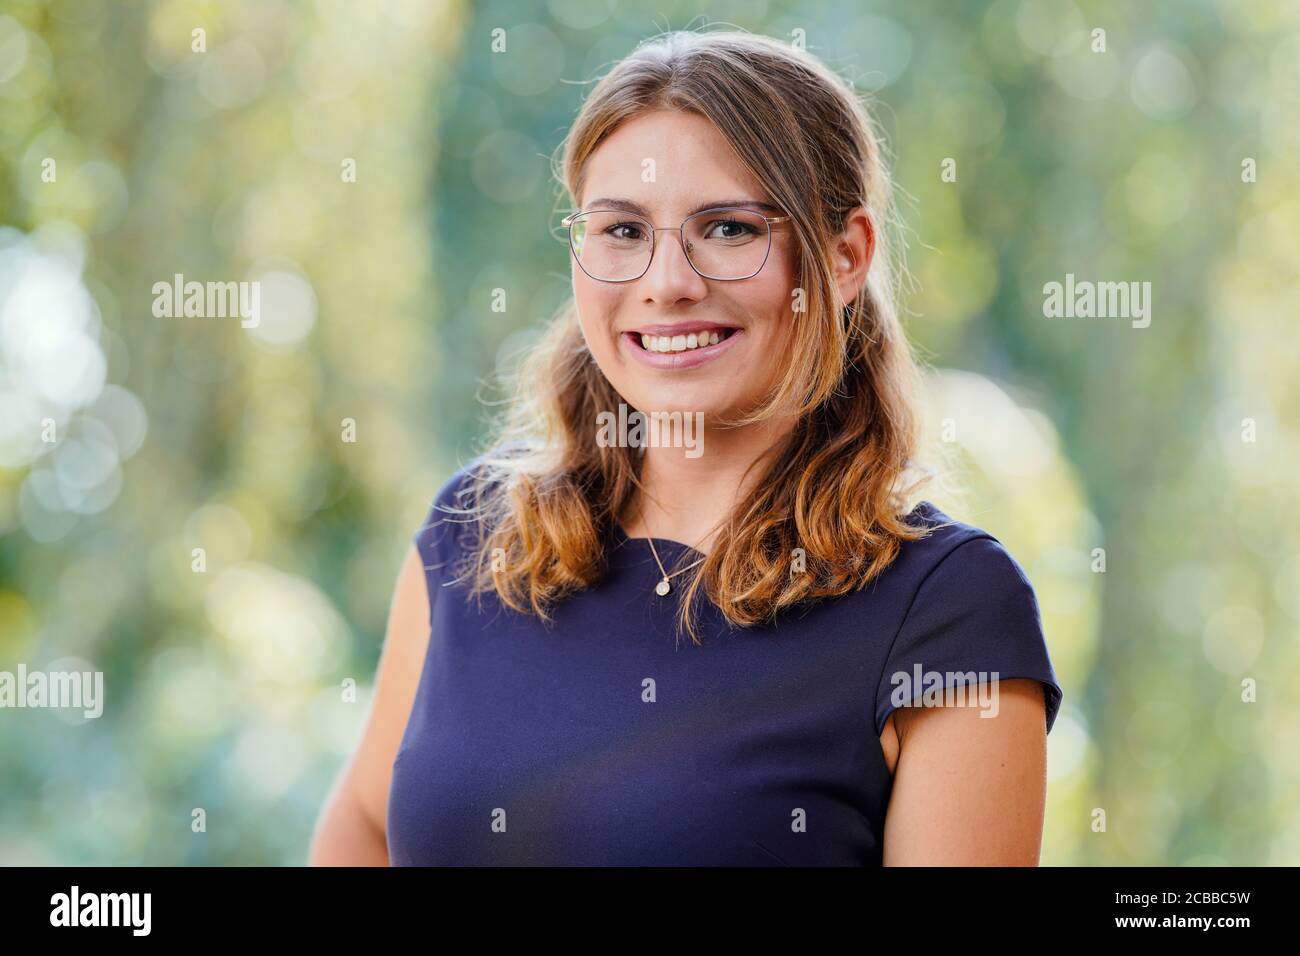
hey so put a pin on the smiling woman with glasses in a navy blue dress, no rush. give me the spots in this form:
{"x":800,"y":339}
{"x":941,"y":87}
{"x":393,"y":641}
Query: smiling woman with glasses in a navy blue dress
{"x":535,"y":703}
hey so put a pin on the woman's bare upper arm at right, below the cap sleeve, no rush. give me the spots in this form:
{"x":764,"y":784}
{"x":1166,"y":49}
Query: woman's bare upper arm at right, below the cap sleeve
{"x":970,"y":790}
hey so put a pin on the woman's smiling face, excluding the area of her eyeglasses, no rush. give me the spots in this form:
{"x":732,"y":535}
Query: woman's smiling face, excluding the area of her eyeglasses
{"x":691,"y":167}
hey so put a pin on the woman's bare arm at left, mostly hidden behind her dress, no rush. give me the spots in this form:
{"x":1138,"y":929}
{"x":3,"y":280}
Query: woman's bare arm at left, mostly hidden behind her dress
{"x":352,"y":830}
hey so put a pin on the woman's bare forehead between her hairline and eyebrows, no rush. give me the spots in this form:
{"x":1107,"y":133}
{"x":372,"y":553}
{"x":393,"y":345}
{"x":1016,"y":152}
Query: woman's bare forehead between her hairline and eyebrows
{"x":669,"y":163}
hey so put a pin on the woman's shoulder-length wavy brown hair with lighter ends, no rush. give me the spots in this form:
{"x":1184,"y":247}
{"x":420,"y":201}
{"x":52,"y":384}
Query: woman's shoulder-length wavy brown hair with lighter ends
{"x":548,"y":495}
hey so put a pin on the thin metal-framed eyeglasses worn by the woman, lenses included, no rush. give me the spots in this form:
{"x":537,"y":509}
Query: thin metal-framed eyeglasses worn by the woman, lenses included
{"x":725,"y":244}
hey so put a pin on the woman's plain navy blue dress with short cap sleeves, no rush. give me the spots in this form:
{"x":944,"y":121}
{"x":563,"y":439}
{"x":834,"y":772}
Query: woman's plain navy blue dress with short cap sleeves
{"x":603,"y":741}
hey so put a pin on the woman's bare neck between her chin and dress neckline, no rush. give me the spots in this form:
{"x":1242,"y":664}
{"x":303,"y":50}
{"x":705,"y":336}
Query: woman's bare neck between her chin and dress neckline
{"x":688,"y":500}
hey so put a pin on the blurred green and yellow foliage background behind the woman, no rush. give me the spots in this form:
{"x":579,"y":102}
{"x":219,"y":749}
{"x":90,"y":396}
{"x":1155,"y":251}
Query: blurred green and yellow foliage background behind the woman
{"x":1167,"y":447}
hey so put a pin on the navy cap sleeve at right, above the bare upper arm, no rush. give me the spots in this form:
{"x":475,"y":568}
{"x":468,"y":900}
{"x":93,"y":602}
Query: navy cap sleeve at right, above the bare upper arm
{"x":974,"y":612}
